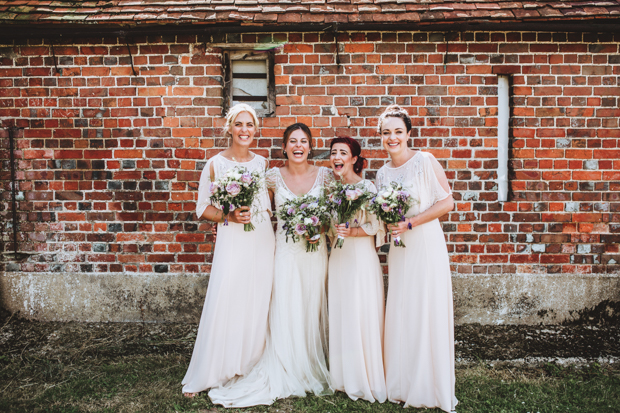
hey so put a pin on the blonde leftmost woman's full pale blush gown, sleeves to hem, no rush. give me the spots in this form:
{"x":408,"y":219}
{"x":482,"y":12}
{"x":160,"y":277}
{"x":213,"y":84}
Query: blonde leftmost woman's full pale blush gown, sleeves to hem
{"x":232,"y":331}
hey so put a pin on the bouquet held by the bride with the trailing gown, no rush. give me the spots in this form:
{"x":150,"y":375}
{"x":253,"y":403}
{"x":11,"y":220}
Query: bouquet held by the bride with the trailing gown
{"x":303,"y":217}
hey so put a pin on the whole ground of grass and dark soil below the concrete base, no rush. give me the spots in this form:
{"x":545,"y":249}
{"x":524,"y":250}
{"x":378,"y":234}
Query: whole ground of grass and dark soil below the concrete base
{"x":129,"y":367}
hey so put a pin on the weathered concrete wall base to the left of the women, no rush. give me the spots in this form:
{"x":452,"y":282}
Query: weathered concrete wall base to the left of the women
{"x":104,"y":297}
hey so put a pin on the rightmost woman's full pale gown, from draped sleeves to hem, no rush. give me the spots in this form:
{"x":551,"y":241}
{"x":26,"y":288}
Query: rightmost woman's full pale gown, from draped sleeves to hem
{"x":419,"y":320}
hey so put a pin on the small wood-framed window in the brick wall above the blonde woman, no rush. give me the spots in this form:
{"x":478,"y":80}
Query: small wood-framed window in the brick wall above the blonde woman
{"x":249,"y":78}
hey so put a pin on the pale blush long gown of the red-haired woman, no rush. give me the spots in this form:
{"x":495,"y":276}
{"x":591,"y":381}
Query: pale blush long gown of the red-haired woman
{"x":356,"y":312}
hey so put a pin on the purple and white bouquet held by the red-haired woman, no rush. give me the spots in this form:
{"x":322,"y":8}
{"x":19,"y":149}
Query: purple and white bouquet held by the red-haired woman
{"x":345,"y":200}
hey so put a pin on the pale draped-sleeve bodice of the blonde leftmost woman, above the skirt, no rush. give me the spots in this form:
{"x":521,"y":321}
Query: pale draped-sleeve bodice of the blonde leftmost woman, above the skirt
{"x":220,"y":166}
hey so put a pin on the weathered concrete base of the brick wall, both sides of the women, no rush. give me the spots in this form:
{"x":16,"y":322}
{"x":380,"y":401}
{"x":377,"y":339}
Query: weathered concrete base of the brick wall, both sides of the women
{"x":485,"y":299}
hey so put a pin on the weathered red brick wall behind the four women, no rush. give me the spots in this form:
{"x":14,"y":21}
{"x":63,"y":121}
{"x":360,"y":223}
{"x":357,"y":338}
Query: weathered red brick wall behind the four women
{"x":108,"y":162}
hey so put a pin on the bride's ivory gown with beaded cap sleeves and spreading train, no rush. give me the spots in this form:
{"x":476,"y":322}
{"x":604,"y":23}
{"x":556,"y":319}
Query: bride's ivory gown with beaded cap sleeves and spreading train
{"x":294,"y":359}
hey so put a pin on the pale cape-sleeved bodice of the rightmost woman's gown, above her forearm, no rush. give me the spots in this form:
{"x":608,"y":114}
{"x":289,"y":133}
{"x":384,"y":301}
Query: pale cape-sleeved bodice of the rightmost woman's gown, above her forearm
{"x":418,"y":178}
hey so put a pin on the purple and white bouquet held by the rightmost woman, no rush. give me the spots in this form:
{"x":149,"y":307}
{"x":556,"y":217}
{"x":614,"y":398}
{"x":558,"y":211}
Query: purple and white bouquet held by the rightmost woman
{"x":390,"y":205}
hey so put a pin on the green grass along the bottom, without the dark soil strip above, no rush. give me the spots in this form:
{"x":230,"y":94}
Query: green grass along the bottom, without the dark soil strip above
{"x":151,"y":383}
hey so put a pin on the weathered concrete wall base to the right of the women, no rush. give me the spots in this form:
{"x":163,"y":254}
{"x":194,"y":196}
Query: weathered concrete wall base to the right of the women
{"x":536,"y":298}
